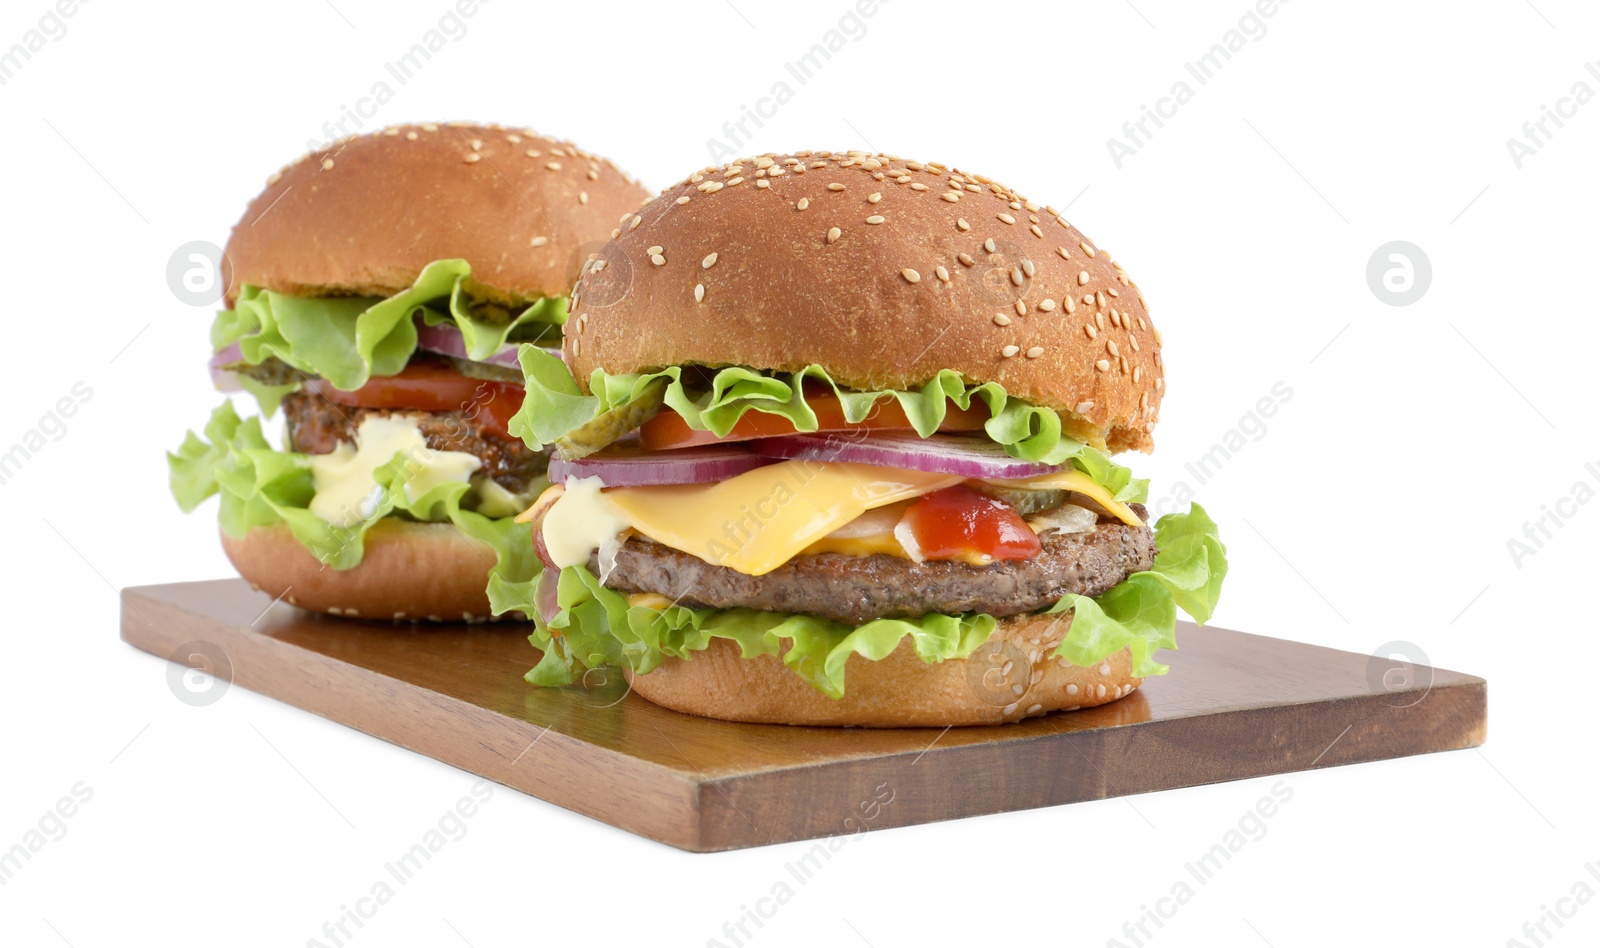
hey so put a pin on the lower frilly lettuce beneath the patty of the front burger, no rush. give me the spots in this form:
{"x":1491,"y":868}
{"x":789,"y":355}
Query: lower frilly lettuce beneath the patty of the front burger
{"x":596,"y":627}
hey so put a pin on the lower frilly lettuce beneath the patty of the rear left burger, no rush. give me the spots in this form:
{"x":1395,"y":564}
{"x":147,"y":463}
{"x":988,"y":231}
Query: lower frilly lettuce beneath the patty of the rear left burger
{"x":262,"y":486}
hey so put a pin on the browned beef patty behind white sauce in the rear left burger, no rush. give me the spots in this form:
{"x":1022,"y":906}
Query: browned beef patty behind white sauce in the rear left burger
{"x":316,"y":427}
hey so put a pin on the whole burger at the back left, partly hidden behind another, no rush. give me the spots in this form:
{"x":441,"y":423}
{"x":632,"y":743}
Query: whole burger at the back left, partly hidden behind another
{"x":377,"y":292}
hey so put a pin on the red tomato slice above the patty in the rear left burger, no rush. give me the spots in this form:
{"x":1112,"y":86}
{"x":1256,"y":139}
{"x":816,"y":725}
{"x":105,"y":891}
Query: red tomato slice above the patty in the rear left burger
{"x":430,"y":387}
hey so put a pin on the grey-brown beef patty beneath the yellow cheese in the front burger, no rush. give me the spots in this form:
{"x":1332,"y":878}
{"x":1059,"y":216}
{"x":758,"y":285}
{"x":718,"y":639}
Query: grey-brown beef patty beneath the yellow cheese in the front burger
{"x":860,"y":588}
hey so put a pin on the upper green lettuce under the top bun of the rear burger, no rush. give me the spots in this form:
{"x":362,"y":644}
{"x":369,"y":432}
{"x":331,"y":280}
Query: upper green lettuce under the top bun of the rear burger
{"x":348,"y":340}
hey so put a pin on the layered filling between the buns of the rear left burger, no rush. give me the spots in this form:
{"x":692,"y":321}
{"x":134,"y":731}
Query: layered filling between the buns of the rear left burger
{"x":394,"y":408}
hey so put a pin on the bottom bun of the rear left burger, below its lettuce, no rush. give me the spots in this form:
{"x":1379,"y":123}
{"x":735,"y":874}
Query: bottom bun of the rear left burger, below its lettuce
{"x":409,"y":572}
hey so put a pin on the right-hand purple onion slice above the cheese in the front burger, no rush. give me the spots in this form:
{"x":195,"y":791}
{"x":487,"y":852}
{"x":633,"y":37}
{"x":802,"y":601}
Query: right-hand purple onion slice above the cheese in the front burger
{"x":942,"y":454}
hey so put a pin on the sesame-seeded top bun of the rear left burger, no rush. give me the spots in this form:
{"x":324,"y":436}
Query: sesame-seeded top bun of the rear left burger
{"x":369,"y":214}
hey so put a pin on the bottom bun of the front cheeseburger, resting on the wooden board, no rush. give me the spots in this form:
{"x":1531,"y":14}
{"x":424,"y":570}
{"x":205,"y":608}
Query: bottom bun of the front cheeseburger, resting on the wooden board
{"x":1009,"y":678}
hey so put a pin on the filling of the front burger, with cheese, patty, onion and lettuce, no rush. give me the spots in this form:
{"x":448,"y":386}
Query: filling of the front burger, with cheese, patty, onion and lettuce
{"x":690,"y":505}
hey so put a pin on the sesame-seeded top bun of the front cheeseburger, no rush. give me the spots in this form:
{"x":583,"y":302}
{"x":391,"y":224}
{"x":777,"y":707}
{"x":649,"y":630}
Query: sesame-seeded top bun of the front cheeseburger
{"x":929,"y":268}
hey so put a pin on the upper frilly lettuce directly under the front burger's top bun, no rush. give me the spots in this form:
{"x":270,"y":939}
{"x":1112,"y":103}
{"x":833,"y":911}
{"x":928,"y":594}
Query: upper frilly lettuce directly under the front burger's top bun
{"x":554,"y":406}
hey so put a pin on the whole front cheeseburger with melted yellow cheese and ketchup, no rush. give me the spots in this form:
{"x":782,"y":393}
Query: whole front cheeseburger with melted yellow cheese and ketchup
{"x":833,"y":446}
